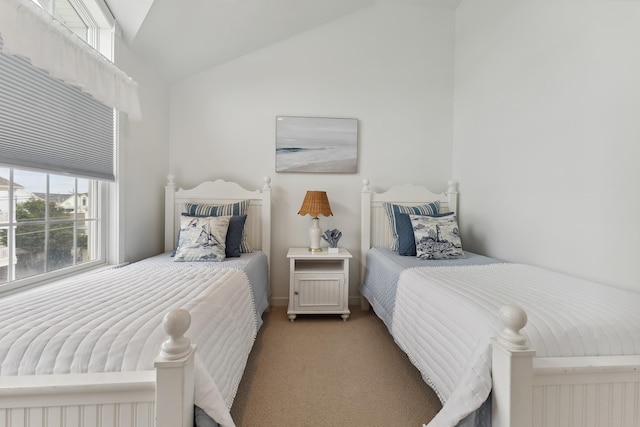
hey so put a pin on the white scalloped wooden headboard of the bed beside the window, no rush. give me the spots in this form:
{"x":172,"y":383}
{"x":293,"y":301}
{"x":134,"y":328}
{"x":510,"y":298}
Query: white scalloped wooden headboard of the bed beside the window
{"x":218,"y":192}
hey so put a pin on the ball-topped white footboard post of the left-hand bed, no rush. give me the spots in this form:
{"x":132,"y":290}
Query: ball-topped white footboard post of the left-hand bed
{"x":175,"y":373}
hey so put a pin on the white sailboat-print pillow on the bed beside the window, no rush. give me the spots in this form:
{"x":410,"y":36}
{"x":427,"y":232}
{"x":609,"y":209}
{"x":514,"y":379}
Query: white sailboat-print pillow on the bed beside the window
{"x":202,"y":239}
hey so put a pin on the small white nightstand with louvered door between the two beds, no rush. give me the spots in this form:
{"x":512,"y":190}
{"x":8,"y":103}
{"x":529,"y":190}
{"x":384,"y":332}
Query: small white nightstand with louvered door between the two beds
{"x":318,"y":282}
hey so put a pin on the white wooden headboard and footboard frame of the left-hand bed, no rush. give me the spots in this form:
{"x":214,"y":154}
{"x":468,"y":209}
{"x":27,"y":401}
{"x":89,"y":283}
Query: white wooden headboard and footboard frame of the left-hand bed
{"x":163,"y":397}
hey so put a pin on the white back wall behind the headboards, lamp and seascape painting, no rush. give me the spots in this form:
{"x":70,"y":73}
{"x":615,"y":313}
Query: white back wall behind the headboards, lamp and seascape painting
{"x":390,"y":66}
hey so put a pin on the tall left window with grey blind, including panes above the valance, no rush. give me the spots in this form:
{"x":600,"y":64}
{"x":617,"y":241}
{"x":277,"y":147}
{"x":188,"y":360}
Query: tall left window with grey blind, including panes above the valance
{"x":53,"y":177}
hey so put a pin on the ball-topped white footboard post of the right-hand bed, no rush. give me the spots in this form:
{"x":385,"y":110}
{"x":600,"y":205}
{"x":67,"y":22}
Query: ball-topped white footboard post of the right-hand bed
{"x":512,"y":372}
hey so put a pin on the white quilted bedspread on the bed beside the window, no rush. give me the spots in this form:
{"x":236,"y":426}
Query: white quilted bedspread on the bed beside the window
{"x":112,"y":321}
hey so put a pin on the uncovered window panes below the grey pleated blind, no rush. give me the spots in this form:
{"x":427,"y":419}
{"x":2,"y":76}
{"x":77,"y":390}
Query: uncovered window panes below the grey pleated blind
{"x":48,"y":223}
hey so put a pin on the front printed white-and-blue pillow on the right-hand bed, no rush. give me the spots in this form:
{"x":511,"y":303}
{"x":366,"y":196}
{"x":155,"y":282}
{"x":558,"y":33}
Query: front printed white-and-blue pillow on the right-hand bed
{"x":436,"y":237}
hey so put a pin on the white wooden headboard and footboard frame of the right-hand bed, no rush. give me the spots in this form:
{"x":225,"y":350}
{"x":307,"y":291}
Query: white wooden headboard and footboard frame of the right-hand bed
{"x":527,"y":390}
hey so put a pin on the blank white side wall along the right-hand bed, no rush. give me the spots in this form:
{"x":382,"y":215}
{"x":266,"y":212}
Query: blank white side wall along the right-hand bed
{"x":547,"y":134}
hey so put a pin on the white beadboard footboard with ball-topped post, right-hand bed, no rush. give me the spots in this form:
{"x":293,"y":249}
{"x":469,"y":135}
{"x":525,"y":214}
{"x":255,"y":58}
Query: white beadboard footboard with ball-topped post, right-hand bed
{"x":531,"y":391}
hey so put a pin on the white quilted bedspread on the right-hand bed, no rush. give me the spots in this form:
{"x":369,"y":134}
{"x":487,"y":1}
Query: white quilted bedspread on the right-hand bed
{"x":445,"y":316}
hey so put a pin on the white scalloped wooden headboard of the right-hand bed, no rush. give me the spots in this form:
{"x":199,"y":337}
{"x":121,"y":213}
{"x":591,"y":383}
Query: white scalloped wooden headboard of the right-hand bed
{"x":375,"y":230}
